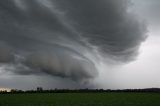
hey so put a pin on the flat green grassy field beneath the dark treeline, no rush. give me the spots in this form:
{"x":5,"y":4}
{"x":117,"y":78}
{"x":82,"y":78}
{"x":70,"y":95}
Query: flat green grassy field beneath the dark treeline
{"x":81,"y":99}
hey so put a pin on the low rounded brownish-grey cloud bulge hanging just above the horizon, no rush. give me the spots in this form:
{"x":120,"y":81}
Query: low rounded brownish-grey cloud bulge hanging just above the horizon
{"x":63,"y":65}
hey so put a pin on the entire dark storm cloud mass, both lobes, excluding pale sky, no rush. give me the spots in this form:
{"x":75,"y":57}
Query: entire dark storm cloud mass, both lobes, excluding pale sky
{"x":63,"y":37}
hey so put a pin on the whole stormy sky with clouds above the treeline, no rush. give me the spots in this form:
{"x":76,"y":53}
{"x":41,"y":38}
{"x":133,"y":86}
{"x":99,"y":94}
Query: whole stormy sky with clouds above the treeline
{"x":109,"y":44}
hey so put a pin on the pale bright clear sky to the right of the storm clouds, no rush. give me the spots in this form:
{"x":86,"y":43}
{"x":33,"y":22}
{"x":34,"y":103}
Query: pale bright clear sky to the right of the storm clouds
{"x":145,"y":70}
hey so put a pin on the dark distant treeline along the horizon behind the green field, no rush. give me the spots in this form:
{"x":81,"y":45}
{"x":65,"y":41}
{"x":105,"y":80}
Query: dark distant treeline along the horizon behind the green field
{"x":40,"y":90}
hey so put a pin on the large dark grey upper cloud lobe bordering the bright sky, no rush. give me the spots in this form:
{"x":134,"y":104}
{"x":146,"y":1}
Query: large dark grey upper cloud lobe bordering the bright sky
{"x":106,"y":24}
